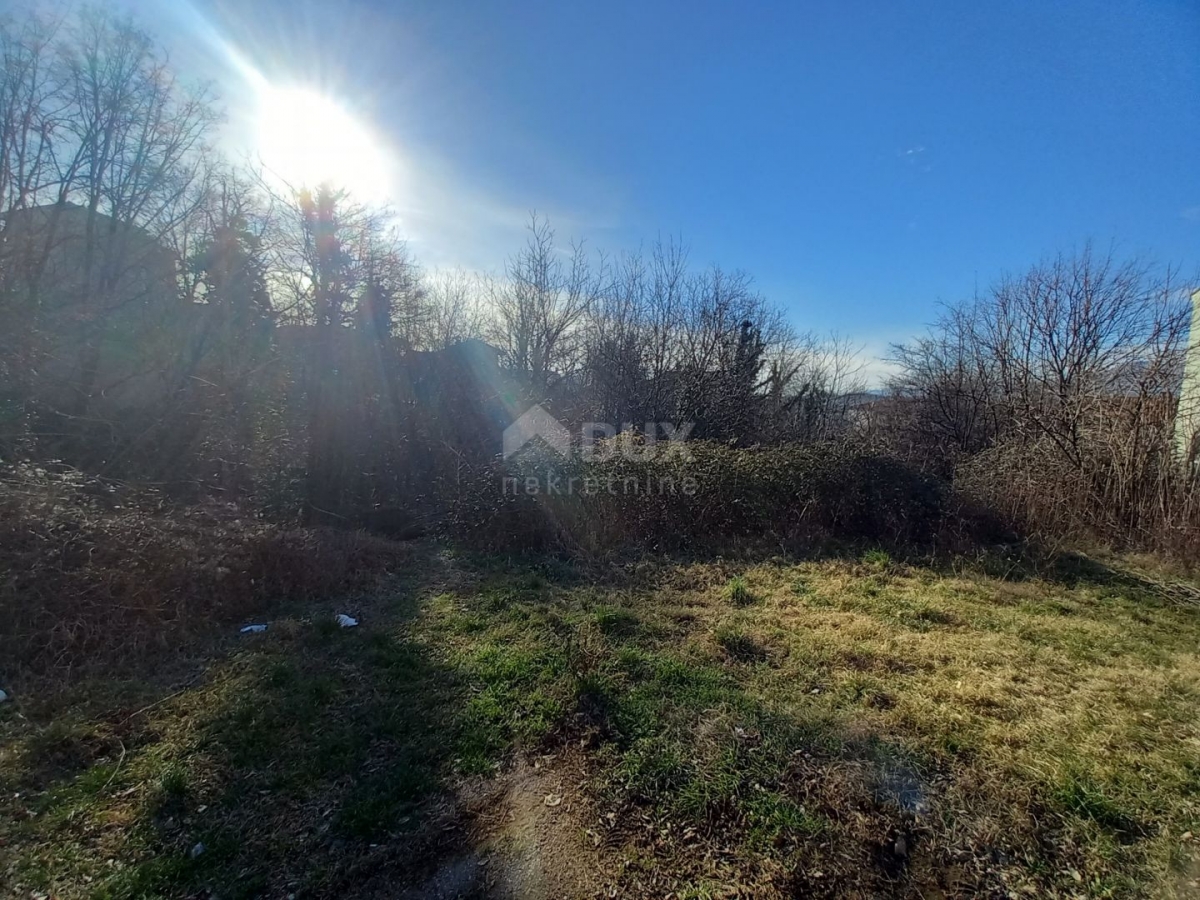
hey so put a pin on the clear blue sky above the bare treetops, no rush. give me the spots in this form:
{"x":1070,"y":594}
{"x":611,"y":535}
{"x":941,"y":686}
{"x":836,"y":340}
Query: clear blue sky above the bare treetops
{"x":862,"y":160}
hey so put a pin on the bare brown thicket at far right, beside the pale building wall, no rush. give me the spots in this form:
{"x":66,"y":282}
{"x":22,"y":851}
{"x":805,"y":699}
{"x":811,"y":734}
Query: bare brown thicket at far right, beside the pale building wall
{"x":1053,"y":399}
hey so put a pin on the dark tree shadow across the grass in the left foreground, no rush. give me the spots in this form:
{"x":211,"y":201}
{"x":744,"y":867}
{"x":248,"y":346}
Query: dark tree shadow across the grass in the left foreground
{"x":292,"y":764}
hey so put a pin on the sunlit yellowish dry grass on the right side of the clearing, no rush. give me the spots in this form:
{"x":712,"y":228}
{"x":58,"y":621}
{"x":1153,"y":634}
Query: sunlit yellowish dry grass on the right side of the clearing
{"x":1059,"y":713}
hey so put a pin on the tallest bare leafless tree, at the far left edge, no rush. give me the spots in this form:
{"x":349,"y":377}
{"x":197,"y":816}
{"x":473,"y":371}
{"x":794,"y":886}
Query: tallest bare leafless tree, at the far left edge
{"x":100,"y":157}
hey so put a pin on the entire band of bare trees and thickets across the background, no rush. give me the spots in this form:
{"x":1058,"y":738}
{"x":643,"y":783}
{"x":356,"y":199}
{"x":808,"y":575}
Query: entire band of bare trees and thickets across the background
{"x":299,"y":359}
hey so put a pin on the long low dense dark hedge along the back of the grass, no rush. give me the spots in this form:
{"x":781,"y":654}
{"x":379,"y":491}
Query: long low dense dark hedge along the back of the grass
{"x":707,"y":497}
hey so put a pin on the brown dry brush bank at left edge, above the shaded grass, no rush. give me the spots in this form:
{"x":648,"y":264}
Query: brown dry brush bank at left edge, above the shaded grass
{"x":95,"y":575}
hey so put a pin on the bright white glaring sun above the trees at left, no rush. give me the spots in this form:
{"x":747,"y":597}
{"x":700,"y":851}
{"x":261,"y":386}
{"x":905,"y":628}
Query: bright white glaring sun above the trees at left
{"x":307,"y":139}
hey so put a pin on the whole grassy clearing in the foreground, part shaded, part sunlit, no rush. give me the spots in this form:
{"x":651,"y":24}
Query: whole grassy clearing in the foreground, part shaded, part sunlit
{"x":835,"y":728}
